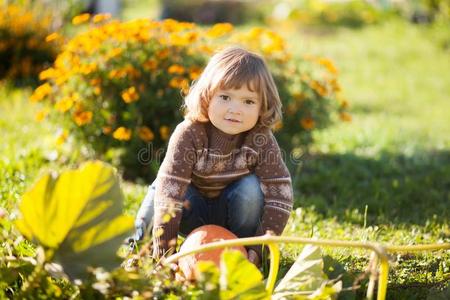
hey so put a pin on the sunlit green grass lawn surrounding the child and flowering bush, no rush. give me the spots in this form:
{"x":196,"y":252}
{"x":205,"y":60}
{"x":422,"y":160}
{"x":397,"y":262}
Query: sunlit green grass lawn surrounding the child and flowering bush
{"x":383,"y":177}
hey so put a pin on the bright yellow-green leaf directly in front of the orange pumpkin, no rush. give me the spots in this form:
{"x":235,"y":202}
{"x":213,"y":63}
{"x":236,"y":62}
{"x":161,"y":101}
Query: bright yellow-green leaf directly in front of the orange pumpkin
{"x":239,"y":278}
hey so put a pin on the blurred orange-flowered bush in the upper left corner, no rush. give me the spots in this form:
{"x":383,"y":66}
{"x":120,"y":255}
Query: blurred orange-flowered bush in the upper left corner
{"x":24,"y":52}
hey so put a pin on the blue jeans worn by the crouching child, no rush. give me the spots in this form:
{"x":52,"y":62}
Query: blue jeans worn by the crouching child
{"x":238,"y":208}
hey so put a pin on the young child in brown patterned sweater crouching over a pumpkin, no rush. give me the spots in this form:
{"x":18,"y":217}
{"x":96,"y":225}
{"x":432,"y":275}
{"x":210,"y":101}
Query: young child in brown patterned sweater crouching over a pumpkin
{"x":223,"y":165}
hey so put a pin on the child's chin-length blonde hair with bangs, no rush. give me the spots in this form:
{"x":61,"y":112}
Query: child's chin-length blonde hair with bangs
{"x":230,"y":68}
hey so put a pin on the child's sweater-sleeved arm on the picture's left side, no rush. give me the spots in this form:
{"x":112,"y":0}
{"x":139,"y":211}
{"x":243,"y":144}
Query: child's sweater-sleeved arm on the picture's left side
{"x":172,"y":181}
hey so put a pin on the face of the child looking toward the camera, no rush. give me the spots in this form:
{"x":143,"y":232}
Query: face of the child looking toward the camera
{"x":234,"y":110}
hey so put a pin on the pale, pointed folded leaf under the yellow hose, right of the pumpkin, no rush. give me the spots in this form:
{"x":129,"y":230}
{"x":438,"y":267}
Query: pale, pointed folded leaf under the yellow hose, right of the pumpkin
{"x":306,"y":279}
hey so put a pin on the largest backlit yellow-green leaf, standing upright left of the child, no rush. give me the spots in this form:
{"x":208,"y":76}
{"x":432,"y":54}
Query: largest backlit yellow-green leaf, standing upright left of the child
{"x":78,"y":215}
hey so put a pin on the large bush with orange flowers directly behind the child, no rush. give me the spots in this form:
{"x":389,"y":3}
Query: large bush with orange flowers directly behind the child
{"x":117,"y":85}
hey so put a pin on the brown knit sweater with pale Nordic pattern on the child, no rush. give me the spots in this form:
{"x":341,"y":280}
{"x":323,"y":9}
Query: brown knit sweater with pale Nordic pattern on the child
{"x":210,"y":159}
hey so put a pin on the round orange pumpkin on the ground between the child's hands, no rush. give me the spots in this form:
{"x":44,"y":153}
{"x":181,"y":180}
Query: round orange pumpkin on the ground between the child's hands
{"x":200,"y":236}
